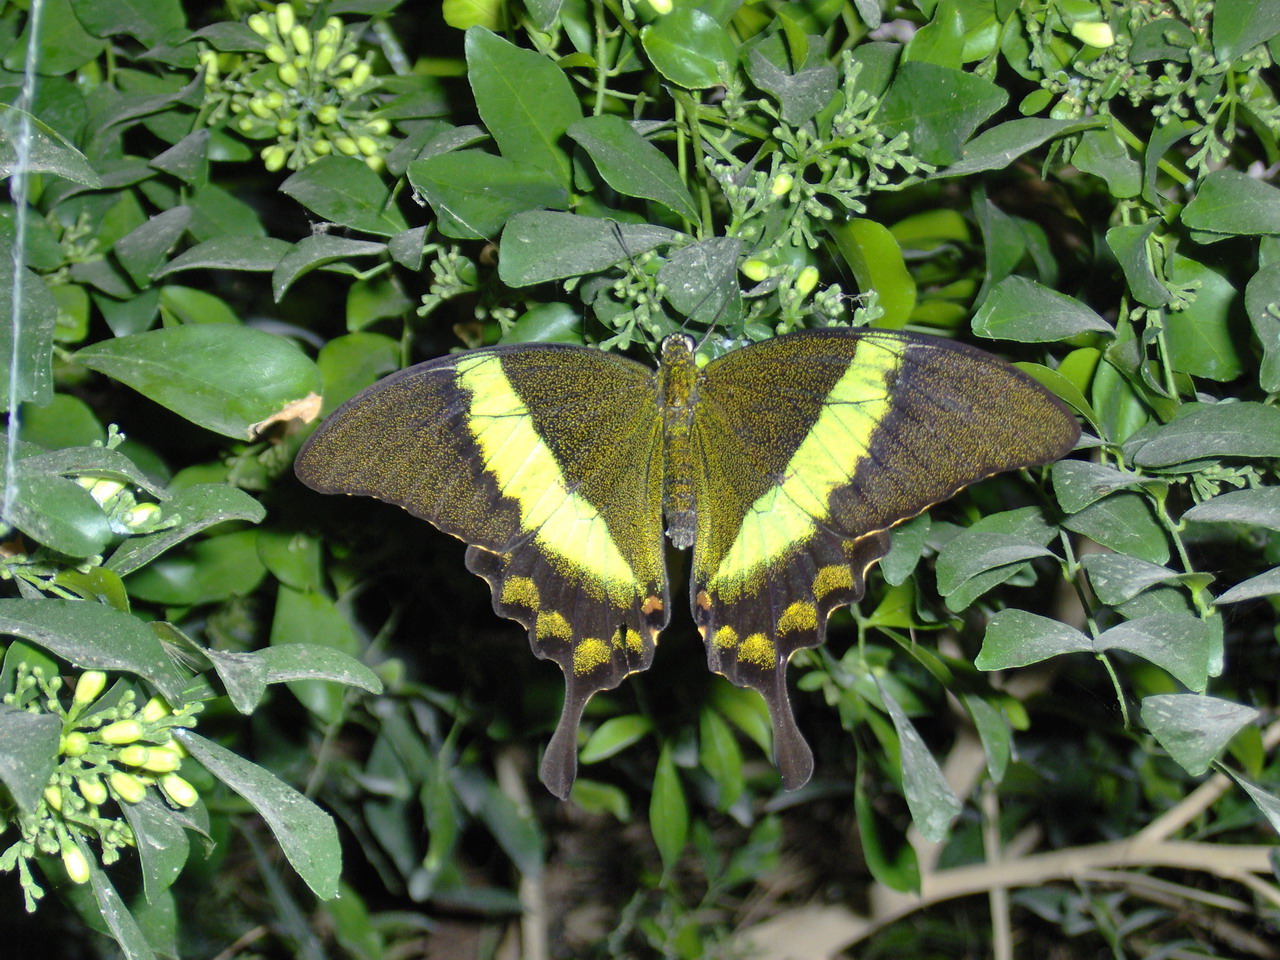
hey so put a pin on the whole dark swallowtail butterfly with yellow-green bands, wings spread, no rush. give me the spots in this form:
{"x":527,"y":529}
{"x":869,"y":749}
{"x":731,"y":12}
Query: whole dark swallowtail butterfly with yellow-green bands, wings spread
{"x":783,"y":464}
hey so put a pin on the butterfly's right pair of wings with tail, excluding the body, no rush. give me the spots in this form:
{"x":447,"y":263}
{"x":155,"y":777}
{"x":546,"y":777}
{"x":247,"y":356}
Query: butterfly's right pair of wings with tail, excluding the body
{"x":811,"y":447}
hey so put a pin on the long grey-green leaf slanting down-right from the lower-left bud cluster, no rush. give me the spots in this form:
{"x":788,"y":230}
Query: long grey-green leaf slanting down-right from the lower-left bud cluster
{"x":305,"y":833}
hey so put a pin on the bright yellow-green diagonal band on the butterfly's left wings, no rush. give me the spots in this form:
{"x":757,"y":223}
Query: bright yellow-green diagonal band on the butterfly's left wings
{"x":524,"y":468}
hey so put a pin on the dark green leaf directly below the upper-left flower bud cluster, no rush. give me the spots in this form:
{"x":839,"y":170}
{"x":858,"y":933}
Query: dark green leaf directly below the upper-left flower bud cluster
{"x":345,"y":191}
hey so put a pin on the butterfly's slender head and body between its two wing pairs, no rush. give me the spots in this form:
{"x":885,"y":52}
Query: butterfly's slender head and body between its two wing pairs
{"x":678,"y":394}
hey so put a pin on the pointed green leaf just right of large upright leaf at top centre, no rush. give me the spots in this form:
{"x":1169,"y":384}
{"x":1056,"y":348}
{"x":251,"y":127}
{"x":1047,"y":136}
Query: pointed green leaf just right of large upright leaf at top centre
{"x":632,"y":164}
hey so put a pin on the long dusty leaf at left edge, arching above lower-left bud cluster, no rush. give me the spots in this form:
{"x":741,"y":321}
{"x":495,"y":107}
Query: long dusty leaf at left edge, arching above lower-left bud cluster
{"x":94,"y":637}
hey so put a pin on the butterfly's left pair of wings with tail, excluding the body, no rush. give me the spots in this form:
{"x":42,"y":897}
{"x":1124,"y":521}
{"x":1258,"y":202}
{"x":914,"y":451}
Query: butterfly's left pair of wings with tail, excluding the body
{"x":546,"y":460}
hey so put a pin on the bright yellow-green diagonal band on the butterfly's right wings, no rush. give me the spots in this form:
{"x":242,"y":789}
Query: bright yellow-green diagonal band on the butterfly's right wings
{"x":829,"y":458}
